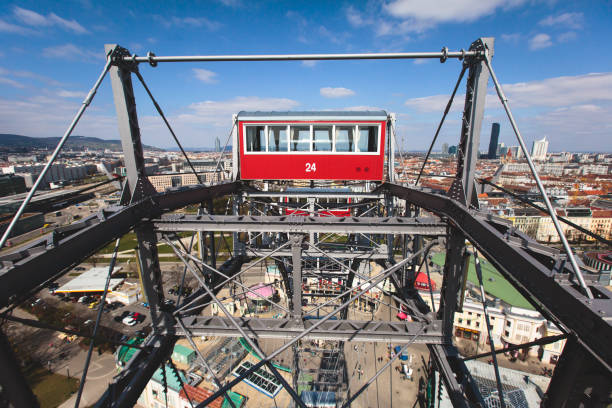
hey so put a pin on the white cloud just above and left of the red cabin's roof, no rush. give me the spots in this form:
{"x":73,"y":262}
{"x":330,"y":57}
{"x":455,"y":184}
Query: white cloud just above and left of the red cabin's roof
{"x":219,"y":113}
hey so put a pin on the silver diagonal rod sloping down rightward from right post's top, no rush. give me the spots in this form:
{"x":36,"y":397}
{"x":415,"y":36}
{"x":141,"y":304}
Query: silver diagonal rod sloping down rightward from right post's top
{"x":534,"y":172}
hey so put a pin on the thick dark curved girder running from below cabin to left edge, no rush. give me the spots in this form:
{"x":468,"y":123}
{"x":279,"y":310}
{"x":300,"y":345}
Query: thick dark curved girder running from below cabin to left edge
{"x":27,"y":270}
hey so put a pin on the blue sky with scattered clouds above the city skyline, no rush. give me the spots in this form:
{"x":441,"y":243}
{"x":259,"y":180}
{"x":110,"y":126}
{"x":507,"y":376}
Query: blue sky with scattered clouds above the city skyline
{"x":552,"y":57}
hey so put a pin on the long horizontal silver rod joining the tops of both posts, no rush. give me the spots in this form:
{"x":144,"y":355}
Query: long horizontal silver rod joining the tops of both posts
{"x":442,"y":55}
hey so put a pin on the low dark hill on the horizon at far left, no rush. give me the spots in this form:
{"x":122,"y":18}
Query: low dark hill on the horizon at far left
{"x":18,"y":143}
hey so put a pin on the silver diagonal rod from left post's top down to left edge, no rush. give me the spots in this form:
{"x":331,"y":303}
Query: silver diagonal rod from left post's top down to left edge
{"x":58,"y":148}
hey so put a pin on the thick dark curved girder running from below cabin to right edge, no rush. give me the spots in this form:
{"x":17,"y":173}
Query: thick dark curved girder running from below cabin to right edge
{"x":556,"y":297}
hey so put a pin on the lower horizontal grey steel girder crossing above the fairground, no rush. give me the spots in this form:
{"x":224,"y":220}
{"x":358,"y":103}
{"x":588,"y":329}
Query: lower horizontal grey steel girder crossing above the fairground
{"x":343,"y":330}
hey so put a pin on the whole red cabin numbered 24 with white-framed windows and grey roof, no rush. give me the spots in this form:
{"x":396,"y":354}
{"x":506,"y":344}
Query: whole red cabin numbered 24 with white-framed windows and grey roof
{"x":311,"y":145}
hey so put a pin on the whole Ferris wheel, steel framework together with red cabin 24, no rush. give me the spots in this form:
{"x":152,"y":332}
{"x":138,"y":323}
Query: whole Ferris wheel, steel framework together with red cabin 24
{"x":297,"y":178}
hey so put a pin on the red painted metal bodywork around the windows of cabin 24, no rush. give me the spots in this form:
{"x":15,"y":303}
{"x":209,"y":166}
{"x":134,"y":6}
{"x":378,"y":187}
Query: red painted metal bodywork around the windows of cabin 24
{"x":292,"y":166}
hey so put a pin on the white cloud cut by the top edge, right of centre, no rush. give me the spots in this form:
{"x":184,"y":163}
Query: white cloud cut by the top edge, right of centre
{"x":441,"y":11}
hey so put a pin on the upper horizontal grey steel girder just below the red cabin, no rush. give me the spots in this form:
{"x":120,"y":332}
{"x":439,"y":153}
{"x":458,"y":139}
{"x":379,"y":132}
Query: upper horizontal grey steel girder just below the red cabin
{"x":301,"y":224}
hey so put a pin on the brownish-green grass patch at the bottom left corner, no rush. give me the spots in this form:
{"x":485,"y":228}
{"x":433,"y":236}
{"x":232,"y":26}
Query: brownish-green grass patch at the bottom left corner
{"x":50,"y":389}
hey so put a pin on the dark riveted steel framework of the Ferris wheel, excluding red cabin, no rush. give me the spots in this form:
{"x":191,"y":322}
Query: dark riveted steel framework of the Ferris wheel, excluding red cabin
{"x":381,"y":245}
